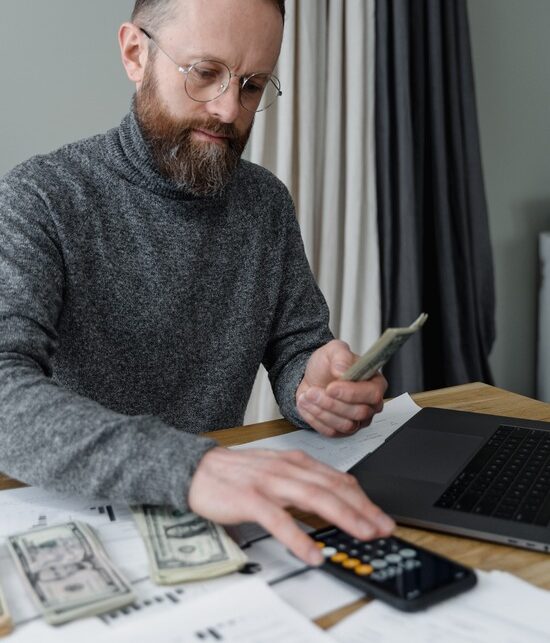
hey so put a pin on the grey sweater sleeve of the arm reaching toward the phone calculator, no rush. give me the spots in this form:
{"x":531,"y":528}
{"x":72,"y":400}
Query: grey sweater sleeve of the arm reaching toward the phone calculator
{"x":50,"y":436}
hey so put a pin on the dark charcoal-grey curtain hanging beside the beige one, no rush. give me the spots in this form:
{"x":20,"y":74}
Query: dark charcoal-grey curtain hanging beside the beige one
{"x":435,"y":249}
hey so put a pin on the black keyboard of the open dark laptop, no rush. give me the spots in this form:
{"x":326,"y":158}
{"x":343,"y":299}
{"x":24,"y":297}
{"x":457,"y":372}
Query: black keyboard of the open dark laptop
{"x":508,"y":478}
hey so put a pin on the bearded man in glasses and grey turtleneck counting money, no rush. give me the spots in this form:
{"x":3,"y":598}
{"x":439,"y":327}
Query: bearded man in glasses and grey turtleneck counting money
{"x":147,"y":272}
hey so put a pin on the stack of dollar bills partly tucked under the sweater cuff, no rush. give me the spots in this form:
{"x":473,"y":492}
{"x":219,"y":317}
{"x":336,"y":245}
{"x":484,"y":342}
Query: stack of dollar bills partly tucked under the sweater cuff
{"x":183,"y":546}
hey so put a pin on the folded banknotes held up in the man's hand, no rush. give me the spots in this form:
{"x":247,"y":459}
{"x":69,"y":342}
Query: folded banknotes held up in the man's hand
{"x":380,"y":352}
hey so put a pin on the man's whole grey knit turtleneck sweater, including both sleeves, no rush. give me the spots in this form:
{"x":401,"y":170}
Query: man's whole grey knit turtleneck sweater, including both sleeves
{"x":134,"y":316}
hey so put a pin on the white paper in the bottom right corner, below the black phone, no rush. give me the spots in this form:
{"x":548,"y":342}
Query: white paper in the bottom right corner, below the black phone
{"x":500,"y":608}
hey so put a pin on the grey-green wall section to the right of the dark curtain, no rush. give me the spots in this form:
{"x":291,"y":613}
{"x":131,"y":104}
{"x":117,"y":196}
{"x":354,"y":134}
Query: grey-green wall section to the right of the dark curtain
{"x":511,"y":54}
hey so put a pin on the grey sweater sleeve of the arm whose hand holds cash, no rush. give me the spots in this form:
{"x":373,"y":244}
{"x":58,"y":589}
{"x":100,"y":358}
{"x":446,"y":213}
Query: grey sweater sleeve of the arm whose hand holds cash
{"x":300,"y":325}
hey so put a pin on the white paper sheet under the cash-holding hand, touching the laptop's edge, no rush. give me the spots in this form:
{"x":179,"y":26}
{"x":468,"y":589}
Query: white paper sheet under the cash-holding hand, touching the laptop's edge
{"x":343,"y":453}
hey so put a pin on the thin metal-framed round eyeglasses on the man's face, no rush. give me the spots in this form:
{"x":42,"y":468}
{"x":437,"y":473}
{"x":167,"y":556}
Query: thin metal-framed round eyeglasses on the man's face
{"x":207,"y":80}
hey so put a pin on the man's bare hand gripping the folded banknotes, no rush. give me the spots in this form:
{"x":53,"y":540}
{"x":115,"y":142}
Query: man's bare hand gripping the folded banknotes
{"x":333,"y":406}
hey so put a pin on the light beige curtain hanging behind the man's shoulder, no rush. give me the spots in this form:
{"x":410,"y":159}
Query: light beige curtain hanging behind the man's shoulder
{"x":319,"y":140}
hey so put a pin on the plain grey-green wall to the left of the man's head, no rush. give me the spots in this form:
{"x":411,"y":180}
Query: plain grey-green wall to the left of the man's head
{"x":61,"y":78}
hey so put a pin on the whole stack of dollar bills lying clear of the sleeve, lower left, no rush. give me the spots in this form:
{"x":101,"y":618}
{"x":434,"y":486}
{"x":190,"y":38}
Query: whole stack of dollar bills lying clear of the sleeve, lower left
{"x":68,"y":572}
